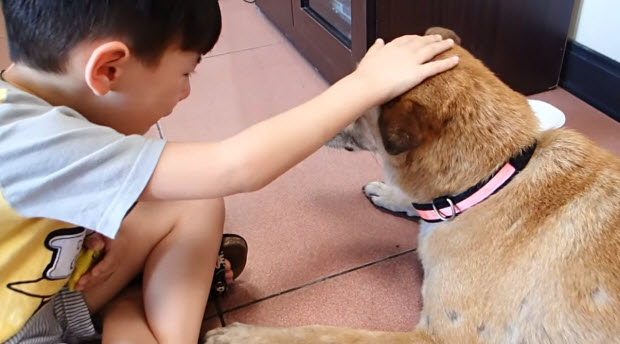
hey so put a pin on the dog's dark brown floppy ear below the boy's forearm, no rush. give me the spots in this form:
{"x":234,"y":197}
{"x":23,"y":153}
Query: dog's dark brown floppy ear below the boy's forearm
{"x":399,"y":125}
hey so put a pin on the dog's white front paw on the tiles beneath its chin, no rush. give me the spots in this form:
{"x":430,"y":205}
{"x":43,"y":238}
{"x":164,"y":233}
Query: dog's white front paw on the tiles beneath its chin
{"x":389,"y":197}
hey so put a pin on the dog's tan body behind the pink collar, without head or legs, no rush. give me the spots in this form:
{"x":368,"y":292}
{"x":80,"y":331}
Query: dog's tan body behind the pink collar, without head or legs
{"x":538,"y":263}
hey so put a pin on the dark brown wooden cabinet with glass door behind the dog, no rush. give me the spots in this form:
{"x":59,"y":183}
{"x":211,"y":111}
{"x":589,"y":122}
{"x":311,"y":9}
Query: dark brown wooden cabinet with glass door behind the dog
{"x":522,"y":41}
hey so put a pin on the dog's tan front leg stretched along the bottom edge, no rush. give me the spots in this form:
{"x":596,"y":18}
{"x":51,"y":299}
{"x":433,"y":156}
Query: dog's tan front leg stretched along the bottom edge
{"x":248,"y":334}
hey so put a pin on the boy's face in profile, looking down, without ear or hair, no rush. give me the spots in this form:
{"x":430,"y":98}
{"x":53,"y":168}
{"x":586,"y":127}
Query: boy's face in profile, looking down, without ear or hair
{"x":145,"y":94}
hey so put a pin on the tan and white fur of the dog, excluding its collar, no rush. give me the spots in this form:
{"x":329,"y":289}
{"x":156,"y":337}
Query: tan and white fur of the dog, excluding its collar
{"x":538,"y":262}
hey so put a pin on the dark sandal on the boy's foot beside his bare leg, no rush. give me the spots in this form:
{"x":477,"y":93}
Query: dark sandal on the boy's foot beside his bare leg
{"x":234,"y":249}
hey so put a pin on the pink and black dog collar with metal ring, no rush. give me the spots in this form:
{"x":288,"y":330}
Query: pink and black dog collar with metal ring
{"x":446,"y":208}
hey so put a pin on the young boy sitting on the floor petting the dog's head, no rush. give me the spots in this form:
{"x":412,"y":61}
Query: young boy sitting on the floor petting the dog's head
{"x":88,"y":78}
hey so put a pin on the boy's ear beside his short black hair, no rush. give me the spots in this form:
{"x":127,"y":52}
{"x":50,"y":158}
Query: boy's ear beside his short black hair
{"x":105,"y":65}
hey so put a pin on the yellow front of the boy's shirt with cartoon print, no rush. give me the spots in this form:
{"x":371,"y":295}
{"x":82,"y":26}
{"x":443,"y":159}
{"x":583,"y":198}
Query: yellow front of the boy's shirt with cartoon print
{"x":37,"y":257}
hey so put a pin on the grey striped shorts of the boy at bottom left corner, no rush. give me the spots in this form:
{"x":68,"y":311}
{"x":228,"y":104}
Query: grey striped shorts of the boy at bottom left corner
{"x":64,"y":319}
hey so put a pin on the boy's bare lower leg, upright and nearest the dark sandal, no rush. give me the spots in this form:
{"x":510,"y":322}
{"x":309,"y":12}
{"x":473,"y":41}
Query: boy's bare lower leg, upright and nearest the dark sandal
{"x":178,"y":274}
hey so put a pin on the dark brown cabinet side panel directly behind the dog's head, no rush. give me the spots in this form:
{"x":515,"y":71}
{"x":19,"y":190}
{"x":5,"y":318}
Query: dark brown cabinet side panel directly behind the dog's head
{"x":522,"y":41}
